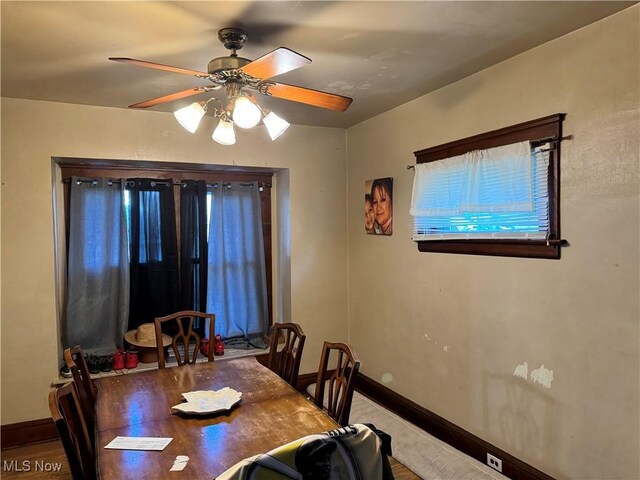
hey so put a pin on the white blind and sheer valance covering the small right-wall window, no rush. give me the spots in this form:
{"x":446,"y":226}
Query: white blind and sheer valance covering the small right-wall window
{"x":496,"y":193}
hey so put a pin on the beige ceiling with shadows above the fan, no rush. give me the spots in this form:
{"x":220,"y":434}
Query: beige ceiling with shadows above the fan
{"x":382,"y":54}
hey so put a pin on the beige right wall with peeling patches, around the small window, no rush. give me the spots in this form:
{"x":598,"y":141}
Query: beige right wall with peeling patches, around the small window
{"x":451,"y":329}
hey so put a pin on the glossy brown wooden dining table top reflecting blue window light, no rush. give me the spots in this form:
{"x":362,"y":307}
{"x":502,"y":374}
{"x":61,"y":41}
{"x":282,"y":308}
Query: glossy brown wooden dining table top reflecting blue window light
{"x":270,"y":413}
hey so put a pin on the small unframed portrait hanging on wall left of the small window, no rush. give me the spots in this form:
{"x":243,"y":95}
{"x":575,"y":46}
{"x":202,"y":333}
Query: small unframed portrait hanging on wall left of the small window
{"x":378,"y":206}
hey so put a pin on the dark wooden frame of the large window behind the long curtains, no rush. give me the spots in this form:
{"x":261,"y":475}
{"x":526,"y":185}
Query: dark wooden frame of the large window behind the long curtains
{"x":178,"y":172}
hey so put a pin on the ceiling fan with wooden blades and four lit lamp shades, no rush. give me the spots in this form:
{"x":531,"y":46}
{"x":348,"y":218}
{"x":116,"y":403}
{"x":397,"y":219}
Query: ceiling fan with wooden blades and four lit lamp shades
{"x":241,"y":78}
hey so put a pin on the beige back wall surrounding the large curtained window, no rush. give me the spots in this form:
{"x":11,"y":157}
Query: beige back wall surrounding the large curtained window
{"x":311,"y":192}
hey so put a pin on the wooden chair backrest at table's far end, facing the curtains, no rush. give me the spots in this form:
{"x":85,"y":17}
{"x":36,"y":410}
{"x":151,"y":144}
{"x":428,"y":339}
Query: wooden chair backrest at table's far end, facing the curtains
{"x":186,"y":337}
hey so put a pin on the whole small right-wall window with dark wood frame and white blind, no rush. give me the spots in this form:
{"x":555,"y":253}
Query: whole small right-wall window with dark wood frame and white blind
{"x":496,"y":193}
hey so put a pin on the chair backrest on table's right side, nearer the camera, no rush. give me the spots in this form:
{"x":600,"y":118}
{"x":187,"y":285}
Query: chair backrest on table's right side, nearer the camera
{"x":340,"y":382}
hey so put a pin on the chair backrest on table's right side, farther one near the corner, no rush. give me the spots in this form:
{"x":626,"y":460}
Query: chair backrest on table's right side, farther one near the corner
{"x":286,"y":363}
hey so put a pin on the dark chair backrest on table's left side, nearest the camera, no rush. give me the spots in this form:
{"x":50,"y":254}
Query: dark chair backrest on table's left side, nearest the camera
{"x":72,"y":429}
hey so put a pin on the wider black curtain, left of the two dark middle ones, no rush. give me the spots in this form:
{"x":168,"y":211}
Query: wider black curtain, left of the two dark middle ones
{"x":154,"y":272}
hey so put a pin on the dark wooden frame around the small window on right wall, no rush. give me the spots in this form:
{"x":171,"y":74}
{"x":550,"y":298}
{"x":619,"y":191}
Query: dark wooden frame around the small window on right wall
{"x":539,"y":131}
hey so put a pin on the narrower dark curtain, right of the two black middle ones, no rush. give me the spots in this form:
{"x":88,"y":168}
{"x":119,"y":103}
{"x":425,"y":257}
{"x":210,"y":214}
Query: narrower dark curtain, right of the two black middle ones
{"x":193,"y":246}
